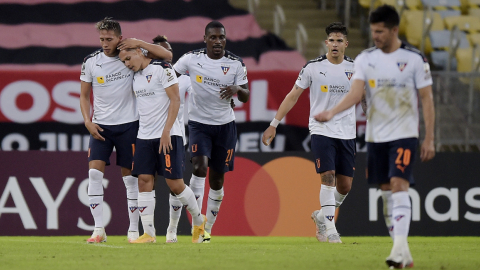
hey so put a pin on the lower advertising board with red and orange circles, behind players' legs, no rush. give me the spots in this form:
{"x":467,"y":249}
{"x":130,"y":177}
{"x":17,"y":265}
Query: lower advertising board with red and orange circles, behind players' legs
{"x":45,"y":193}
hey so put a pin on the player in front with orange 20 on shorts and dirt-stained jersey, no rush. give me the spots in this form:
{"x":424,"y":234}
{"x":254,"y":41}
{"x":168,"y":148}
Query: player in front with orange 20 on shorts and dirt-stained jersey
{"x":394,"y":74}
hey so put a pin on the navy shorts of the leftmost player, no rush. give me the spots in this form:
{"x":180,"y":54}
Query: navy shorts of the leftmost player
{"x":122,"y":137}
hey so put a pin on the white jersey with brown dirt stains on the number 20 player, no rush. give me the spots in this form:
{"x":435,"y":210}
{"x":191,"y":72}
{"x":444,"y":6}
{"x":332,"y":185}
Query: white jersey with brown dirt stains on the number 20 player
{"x":392,"y":81}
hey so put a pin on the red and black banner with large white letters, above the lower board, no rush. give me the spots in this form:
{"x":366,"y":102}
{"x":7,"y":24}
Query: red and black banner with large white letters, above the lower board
{"x":41,"y":111}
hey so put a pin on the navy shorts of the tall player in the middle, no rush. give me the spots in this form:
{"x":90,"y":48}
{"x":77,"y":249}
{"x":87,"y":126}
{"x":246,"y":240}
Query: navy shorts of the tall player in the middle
{"x":217,"y":142}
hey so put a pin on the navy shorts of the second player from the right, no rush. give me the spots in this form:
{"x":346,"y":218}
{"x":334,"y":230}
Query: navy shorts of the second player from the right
{"x":333,"y":154}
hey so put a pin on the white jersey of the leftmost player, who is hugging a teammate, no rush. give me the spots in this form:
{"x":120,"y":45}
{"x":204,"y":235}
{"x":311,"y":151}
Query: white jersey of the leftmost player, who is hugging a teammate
{"x":113,"y":98}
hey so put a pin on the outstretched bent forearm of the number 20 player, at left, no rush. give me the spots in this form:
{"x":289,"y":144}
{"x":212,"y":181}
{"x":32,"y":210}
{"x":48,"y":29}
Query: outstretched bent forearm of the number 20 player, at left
{"x":353,"y":97}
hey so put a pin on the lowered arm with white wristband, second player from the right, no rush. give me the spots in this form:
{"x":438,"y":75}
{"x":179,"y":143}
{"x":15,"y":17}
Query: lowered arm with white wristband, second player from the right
{"x":287,"y":104}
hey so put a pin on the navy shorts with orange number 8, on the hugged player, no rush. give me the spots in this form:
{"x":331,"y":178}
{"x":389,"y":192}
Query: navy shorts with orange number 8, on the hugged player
{"x":148,"y":160}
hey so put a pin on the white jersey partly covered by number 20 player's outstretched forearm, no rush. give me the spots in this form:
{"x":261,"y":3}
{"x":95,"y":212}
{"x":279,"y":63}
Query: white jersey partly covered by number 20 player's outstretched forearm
{"x":329,"y":83}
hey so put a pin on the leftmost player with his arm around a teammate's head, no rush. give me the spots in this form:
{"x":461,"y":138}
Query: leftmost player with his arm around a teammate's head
{"x":114,"y":122}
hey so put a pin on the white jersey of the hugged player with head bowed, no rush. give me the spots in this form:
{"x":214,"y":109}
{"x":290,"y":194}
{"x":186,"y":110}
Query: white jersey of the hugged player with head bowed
{"x":152,"y":100}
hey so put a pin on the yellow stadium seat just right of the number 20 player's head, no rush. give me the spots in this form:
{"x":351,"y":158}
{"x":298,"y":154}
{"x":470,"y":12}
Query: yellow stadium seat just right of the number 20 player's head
{"x":414,"y":28}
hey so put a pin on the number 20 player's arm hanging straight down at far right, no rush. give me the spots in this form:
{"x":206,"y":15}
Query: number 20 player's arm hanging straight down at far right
{"x":427,"y":151}
